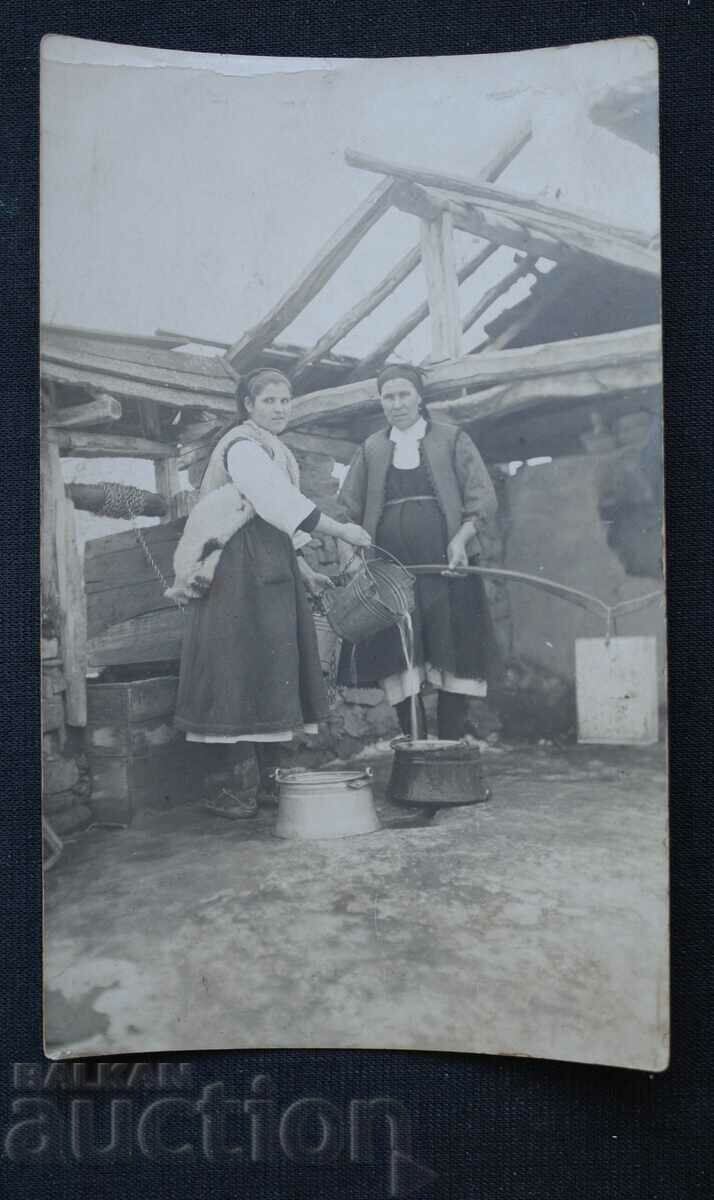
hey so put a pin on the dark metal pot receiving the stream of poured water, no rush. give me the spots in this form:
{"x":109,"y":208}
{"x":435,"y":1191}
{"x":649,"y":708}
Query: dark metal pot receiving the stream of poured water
{"x":437,"y":775}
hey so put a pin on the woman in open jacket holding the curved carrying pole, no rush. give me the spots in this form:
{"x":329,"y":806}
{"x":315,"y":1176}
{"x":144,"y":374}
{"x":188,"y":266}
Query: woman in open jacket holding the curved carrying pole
{"x":421,"y":489}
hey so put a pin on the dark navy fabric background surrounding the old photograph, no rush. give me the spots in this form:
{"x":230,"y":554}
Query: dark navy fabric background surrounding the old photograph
{"x":490,"y":1129}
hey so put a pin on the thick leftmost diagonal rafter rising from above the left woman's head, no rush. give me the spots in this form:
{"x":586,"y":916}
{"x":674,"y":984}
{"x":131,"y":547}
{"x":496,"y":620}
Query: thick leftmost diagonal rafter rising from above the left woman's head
{"x":314,"y":278}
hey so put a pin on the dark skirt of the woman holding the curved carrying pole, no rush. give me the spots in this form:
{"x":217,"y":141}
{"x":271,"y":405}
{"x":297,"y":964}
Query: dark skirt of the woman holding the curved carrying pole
{"x":453,"y":627}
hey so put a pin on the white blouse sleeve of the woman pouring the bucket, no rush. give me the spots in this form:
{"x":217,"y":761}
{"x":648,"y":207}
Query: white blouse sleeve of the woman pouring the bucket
{"x":269,"y":490}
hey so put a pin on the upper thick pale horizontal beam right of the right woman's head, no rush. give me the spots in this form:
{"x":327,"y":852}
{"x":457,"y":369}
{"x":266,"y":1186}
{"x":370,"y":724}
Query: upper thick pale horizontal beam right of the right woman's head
{"x":622,"y":349}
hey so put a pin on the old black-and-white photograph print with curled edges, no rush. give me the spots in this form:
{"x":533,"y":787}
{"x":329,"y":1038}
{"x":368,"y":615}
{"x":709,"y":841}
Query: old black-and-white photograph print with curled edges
{"x":353,"y":602}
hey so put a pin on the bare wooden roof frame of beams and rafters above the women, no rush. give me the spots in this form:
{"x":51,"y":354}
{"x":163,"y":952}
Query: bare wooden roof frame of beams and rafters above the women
{"x":585,"y":340}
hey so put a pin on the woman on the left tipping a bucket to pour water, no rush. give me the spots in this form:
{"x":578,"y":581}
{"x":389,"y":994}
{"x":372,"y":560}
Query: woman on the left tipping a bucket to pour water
{"x":250,"y":665}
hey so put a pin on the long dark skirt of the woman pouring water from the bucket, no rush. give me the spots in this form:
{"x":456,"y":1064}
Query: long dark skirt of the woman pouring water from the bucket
{"x":250,"y":662}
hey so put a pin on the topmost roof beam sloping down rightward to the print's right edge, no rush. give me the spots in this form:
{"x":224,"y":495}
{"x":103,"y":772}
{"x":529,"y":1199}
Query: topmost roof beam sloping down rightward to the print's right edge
{"x":583,"y":231}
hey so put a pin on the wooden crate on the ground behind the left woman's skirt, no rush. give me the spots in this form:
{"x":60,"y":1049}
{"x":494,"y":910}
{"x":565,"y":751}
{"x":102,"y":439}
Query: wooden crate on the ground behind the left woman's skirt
{"x":139,"y":760}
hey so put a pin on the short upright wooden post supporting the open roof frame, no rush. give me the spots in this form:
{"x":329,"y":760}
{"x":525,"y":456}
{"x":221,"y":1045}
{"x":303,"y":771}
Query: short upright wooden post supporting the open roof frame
{"x":440,"y":267}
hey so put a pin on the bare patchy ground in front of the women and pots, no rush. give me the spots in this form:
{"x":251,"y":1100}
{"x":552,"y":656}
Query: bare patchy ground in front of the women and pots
{"x":535,"y":923}
